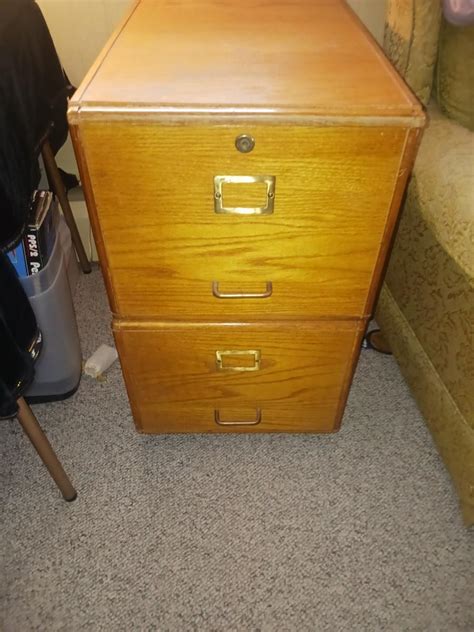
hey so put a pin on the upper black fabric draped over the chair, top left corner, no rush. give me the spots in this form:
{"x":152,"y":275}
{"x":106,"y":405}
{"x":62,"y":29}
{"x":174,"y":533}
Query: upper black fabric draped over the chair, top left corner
{"x":33,"y":104}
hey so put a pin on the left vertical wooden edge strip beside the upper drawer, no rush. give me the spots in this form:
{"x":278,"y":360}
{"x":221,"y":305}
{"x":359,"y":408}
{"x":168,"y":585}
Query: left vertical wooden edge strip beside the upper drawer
{"x":91,"y":209}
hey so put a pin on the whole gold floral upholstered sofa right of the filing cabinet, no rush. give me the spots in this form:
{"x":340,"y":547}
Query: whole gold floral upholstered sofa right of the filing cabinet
{"x":426,"y":306}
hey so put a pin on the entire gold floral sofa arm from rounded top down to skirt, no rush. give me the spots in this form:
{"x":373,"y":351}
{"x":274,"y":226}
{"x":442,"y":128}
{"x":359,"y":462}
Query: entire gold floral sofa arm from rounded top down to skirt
{"x":426,"y":308}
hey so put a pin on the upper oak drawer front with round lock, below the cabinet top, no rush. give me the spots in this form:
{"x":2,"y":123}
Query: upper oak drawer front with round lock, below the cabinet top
{"x":311,"y":252}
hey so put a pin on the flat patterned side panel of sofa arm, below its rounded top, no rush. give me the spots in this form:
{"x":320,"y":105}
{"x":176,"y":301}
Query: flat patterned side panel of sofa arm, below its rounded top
{"x":437,"y":300}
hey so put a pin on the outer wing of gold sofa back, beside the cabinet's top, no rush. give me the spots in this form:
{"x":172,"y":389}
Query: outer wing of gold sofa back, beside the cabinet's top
{"x":411,"y":41}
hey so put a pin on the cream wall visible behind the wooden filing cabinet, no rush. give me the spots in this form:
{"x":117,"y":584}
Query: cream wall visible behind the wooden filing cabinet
{"x":80,"y":29}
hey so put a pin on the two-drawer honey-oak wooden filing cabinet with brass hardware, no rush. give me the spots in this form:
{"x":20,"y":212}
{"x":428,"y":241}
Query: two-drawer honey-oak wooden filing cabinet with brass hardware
{"x":243,"y":164}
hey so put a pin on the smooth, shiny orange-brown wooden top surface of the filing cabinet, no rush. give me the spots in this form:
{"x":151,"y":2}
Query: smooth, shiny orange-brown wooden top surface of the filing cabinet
{"x":274,"y":57}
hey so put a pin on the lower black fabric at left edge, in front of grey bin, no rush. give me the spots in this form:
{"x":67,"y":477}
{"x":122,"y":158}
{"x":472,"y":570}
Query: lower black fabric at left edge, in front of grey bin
{"x":18,"y":332}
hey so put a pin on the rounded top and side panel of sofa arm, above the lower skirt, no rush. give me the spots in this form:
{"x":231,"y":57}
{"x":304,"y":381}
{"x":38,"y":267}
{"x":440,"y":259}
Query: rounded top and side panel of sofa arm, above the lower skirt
{"x":431,"y":271}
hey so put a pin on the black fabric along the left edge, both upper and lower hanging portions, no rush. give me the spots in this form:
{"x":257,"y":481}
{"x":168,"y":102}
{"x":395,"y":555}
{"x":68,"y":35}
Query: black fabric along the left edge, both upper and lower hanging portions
{"x":33,"y":103}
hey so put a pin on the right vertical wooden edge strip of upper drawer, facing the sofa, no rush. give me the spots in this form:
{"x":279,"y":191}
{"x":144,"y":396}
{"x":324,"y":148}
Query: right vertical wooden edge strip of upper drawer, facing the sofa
{"x":412,"y":143}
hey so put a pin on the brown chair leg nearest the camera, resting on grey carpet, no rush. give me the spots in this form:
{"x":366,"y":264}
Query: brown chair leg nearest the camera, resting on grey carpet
{"x":41,"y":444}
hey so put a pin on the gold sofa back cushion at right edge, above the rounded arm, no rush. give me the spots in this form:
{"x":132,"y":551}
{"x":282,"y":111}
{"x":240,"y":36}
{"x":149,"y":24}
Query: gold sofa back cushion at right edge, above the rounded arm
{"x":455,"y":73}
